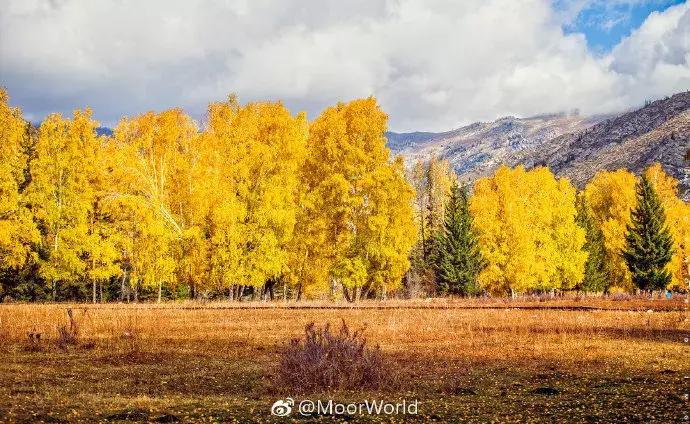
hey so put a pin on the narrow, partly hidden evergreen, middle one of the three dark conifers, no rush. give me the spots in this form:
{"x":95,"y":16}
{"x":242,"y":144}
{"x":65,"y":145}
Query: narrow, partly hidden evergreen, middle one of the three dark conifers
{"x":596,"y":278}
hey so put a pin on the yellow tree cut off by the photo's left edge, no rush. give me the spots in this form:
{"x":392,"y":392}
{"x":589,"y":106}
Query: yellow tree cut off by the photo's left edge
{"x":17,"y":232}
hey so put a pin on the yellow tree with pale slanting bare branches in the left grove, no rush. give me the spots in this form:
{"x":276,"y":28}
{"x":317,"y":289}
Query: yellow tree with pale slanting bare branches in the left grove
{"x":152,"y":181}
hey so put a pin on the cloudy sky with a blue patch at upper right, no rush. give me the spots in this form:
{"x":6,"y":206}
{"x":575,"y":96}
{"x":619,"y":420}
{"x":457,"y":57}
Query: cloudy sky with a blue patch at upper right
{"x":432,"y":64}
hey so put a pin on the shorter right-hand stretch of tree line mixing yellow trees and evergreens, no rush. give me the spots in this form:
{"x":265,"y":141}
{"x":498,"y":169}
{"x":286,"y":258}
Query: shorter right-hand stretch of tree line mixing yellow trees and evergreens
{"x":523,"y":231}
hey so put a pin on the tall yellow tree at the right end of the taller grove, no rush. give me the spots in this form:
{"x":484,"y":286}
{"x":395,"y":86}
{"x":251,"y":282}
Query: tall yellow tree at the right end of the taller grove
{"x":361,"y":201}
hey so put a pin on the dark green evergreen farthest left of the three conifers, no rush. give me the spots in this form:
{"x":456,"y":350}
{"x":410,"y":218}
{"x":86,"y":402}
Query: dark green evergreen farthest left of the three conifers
{"x":457,"y":259}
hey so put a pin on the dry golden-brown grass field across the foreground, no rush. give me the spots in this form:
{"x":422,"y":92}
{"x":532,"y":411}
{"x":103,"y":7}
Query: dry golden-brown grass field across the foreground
{"x":472,"y":360}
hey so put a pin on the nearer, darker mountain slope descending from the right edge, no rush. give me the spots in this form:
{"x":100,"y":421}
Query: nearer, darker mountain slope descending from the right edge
{"x":658,"y":132}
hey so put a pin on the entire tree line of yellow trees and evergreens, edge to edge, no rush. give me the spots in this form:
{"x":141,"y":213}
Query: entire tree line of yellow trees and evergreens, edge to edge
{"x":259,"y":203}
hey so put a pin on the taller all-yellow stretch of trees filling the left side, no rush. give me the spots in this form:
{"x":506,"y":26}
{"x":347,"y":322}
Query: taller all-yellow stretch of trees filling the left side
{"x":256,"y":200}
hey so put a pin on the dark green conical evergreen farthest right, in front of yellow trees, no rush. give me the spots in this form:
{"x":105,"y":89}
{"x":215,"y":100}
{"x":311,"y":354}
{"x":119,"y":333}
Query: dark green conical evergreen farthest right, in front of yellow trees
{"x":649,"y":245}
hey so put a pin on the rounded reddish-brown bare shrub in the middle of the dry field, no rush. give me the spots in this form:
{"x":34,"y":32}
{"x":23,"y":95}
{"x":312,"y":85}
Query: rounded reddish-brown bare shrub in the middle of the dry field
{"x":326,"y":359}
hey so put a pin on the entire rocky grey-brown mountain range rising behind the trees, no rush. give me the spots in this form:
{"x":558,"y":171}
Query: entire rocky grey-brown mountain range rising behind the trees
{"x":570,"y":145}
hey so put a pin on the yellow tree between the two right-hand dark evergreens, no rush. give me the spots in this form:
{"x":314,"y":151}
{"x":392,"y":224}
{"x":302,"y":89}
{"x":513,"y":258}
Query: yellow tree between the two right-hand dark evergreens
{"x":611,"y":197}
